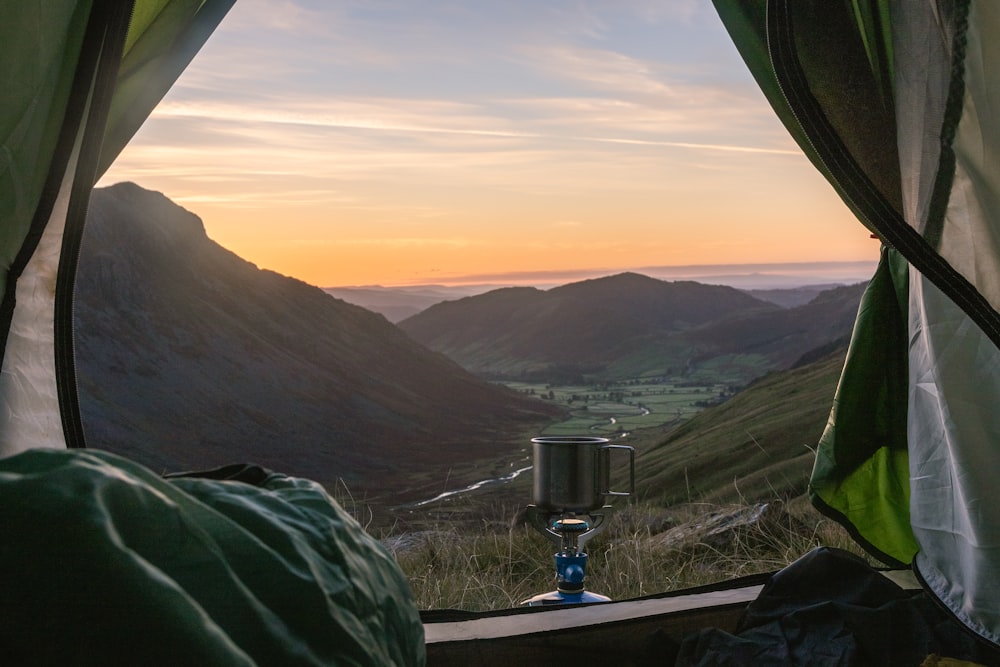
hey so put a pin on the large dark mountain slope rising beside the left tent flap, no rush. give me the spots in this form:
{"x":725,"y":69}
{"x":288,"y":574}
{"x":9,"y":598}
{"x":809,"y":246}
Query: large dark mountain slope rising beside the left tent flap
{"x":190,"y":357}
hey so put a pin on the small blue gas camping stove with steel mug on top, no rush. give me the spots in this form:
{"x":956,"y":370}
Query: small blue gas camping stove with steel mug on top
{"x":571,"y":484}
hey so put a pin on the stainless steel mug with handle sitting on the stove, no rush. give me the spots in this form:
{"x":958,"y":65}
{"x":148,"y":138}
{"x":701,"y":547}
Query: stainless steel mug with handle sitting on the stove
{"x":573,"y":473}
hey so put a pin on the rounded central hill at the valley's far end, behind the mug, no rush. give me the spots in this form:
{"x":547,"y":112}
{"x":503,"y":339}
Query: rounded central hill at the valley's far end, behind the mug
{"x":586,"y":325}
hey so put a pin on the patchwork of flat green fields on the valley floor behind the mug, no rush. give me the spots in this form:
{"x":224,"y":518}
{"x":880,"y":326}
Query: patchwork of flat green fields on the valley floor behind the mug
{"x":615,"y":408}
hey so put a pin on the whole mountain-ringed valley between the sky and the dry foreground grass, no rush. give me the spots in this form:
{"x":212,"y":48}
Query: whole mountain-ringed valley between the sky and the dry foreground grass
{"x":189,"y":357}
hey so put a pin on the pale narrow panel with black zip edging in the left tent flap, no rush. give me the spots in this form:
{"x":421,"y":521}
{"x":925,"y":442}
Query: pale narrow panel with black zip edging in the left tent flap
{"x":40,"y":271}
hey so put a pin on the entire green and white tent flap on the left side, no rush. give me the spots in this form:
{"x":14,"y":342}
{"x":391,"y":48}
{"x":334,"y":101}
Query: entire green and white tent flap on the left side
{"x":79,"y":78}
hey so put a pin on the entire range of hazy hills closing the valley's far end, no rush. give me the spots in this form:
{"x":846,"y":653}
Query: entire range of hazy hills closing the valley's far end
{"x":627,"y":325}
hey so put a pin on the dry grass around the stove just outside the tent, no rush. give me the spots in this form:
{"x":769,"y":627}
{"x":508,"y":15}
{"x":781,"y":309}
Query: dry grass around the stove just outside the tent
{"x":645,"y":550}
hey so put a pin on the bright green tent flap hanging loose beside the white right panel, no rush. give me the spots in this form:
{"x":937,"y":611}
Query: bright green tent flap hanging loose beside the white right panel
{"x":861,"y":473}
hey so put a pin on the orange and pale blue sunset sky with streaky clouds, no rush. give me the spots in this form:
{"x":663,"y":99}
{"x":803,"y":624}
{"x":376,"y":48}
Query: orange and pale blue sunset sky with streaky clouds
{"x":400,"y":142}
